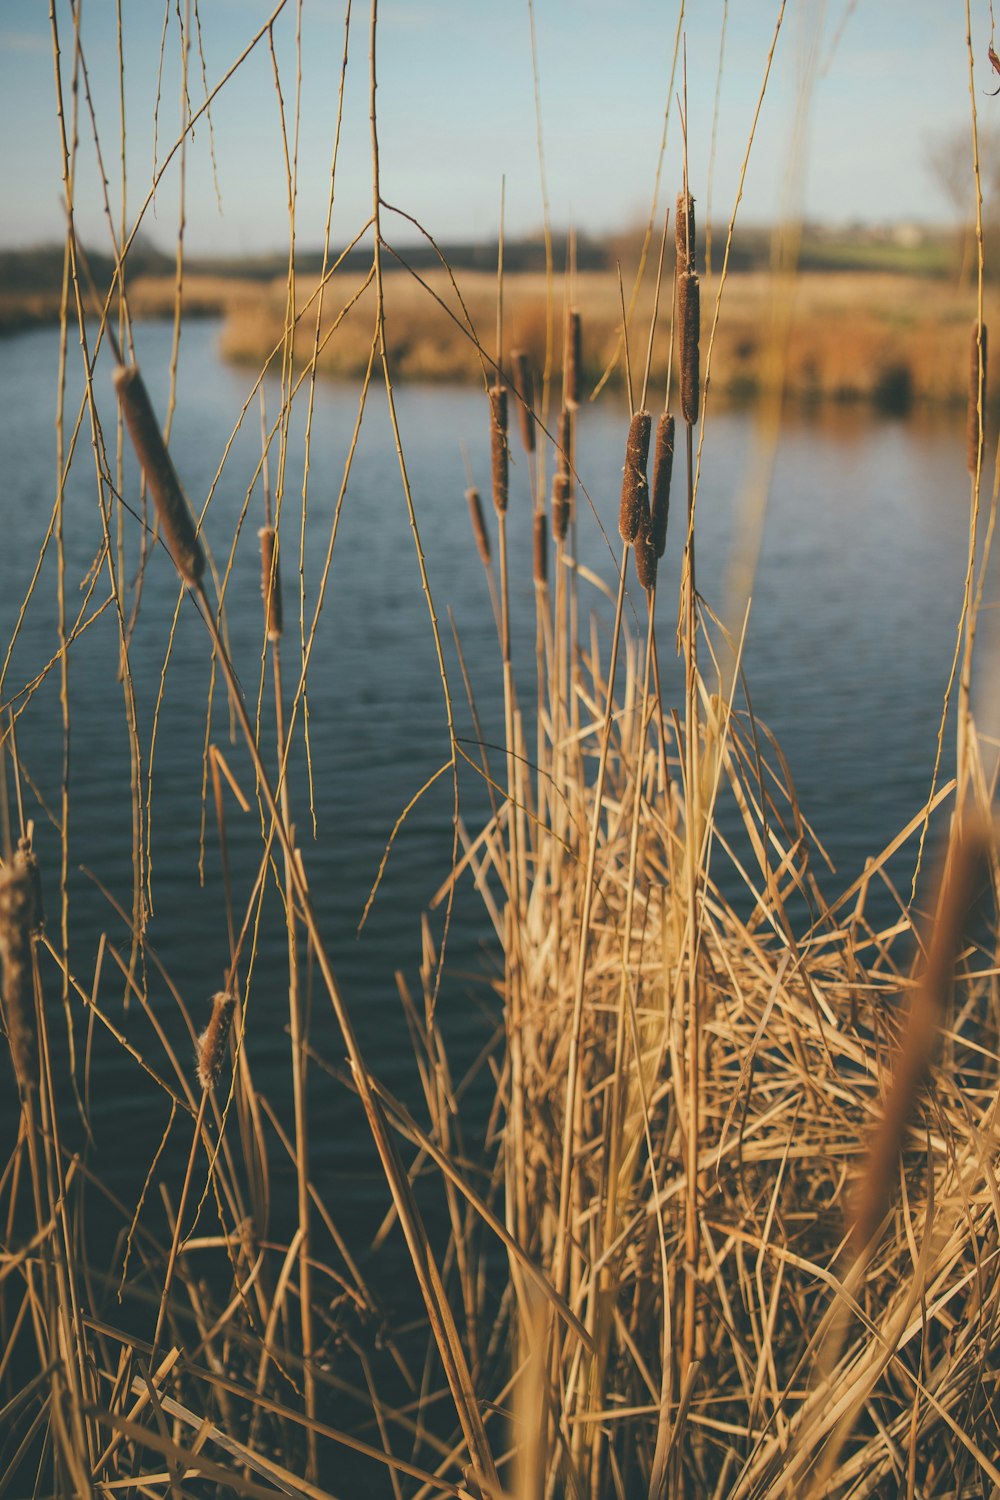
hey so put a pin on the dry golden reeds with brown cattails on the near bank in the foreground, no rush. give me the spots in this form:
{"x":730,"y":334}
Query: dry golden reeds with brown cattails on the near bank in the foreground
{"x":713,"y":1211}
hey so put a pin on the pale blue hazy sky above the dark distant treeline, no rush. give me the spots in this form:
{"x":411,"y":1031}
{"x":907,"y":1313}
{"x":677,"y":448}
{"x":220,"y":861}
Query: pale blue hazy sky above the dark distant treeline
{"x":860,"y":91}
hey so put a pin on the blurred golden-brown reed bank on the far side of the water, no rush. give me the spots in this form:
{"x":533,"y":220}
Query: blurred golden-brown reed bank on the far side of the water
{"x":873,"y":337}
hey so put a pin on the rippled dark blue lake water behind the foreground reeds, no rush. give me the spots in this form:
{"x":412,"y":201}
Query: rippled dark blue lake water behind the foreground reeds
{"x":854,"y":622}
